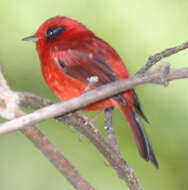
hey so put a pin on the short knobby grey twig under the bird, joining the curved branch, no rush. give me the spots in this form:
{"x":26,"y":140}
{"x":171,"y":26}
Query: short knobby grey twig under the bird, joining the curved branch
{"x":111,"y":138}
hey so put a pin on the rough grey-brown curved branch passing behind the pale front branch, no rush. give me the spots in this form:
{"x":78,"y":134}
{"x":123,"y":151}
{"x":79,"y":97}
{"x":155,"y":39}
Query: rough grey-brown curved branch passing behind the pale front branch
{"x":107,"y":149}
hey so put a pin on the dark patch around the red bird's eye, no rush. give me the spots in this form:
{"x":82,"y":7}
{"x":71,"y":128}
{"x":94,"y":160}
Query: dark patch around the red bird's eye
{"x":53,"y":32}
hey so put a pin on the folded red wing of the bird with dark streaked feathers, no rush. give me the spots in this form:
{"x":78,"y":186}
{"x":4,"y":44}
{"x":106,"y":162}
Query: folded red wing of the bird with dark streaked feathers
{"x":81,"y":66}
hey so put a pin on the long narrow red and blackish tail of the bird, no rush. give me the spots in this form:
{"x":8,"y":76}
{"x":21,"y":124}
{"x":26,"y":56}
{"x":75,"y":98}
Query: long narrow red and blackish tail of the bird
{"x":141,"y":140}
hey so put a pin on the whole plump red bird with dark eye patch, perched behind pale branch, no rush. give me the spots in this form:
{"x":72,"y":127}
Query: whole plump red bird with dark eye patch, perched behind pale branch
{"x":70,"y":54}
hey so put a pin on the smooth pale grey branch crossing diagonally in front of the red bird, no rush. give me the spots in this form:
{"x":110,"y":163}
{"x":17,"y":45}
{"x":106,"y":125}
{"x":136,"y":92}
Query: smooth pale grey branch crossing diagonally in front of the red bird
{"x":162,"y":75}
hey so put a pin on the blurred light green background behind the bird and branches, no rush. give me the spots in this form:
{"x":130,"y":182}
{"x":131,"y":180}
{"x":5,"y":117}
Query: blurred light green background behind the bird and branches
{"x":136,"y":29}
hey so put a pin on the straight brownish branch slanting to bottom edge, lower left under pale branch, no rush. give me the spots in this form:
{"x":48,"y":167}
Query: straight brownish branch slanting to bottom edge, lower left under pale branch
{"x":64,"y":166}
